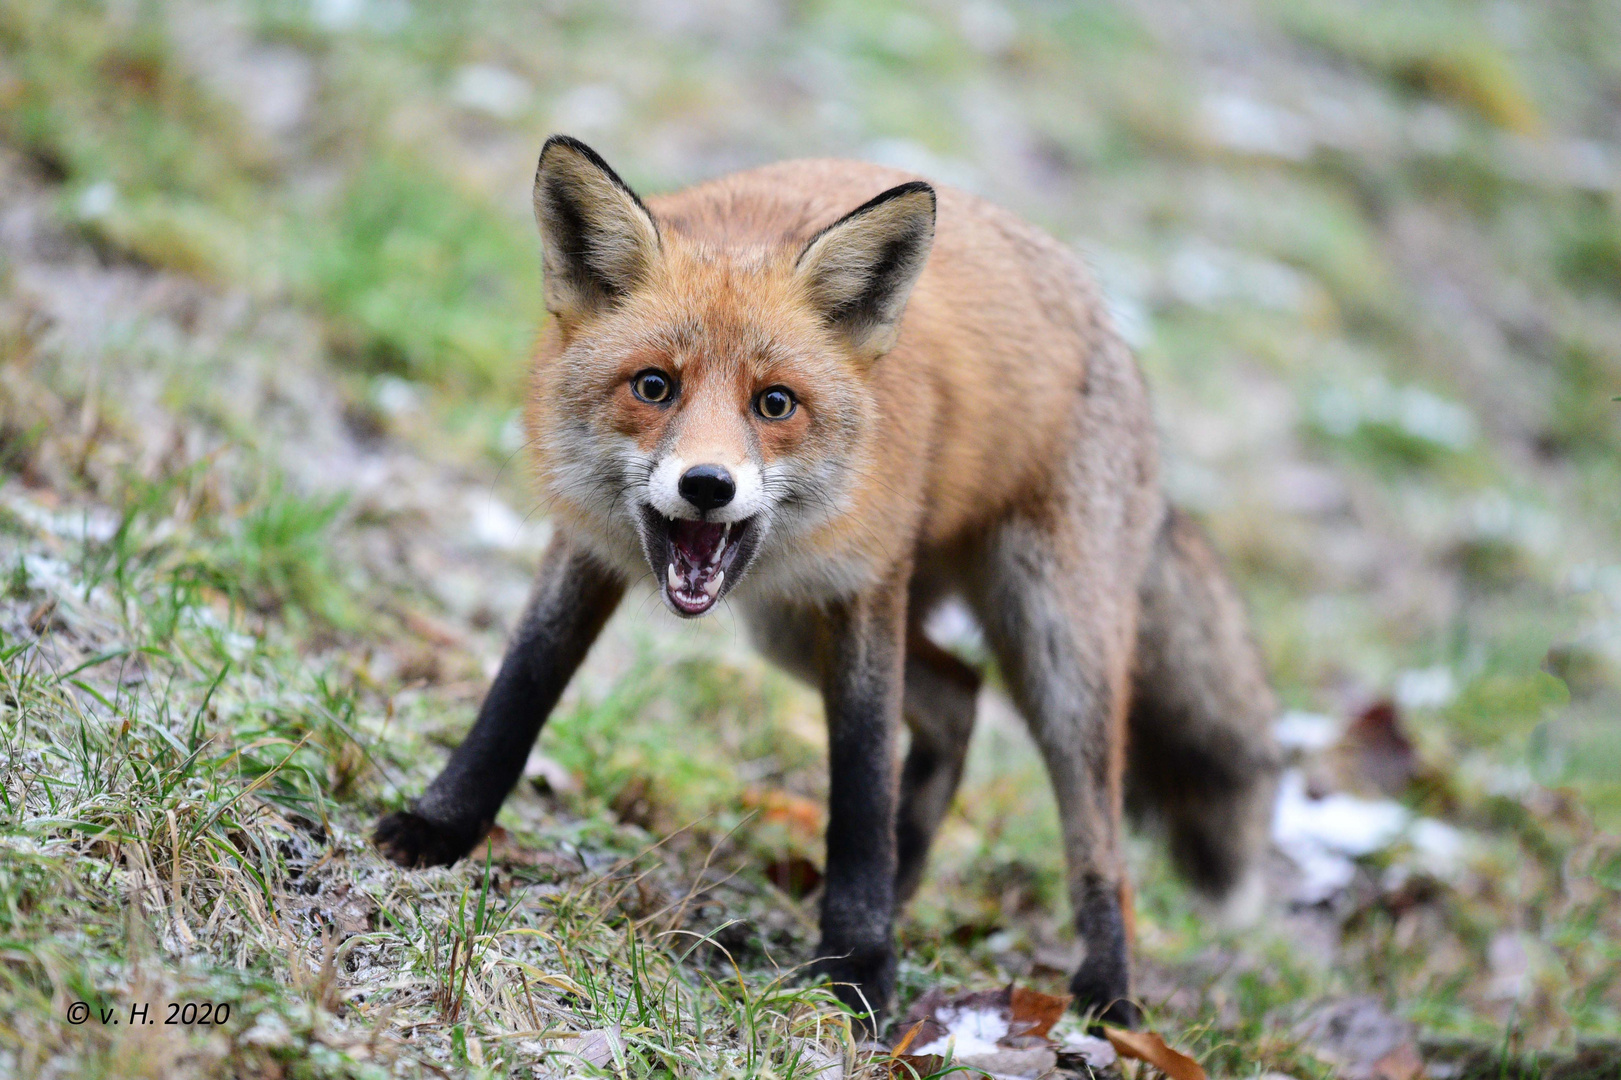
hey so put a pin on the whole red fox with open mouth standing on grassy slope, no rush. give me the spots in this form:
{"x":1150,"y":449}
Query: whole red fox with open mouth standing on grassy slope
{"x":840,"y":396}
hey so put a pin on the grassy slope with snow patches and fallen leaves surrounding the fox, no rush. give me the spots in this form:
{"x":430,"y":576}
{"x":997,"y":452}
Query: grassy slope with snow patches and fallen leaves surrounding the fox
{"x":267,"y":286}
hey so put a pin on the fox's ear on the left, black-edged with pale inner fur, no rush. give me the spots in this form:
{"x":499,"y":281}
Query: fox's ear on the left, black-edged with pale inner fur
{"x":599,"y":239}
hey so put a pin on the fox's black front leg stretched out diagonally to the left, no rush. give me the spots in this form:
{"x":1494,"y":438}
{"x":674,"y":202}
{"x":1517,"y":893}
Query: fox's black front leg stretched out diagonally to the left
{"x":571,"y":601}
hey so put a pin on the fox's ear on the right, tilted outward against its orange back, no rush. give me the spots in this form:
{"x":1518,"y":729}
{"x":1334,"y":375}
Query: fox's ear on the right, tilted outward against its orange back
{"x":860,"y":270}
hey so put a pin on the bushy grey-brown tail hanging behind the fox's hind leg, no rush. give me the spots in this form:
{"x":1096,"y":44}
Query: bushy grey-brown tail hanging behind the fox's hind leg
{"x":1204,"y":756}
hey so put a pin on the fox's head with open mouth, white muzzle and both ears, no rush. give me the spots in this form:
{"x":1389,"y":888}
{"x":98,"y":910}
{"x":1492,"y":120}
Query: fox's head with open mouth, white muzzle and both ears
{"x":699,"y":408}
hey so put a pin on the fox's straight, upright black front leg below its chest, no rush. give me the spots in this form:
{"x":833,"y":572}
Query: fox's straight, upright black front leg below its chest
{"x":862,"y":687}
